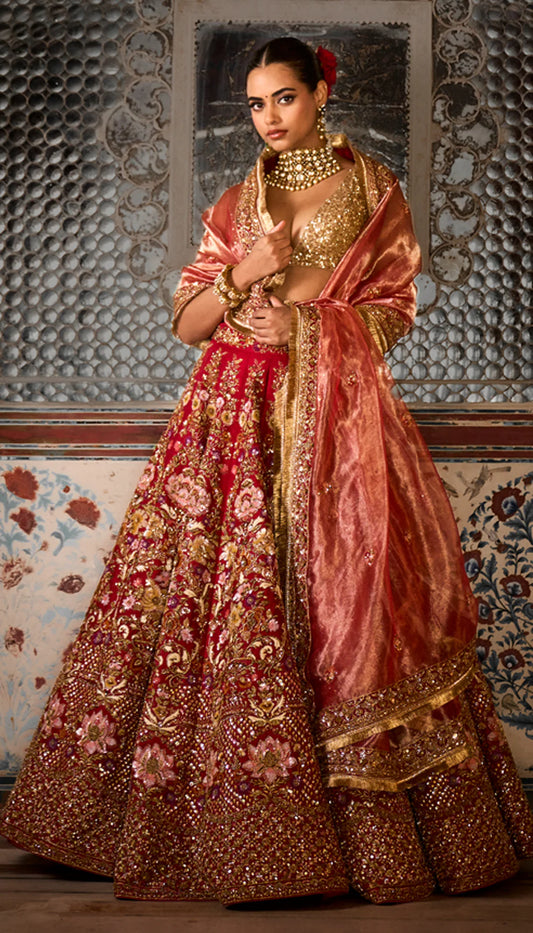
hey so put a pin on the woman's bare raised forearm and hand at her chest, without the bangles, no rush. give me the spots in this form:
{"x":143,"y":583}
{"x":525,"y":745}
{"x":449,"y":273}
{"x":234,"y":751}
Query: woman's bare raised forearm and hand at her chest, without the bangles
{"x":203,"y":313}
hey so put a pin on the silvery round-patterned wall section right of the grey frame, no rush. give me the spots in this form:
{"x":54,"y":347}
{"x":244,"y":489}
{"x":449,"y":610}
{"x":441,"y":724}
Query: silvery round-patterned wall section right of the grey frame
{"x":474,"y":344}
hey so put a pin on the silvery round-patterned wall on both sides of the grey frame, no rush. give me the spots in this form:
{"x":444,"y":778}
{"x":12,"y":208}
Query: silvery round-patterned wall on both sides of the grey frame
{"x":84,"y":139}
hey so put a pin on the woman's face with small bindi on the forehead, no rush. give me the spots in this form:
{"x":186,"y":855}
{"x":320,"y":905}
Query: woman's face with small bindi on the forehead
{"x":284,"y":110}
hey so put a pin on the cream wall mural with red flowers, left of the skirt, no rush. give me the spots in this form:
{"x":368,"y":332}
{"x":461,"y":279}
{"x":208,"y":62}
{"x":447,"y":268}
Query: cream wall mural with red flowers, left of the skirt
{"x":58,"y":523}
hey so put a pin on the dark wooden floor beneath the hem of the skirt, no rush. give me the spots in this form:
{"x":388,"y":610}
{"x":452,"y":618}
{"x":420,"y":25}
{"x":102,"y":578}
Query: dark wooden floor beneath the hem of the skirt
{"x":37,"y":896}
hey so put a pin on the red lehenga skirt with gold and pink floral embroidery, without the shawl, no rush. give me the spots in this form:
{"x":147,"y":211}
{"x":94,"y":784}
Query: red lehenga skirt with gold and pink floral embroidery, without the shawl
{"x":176,"y":752}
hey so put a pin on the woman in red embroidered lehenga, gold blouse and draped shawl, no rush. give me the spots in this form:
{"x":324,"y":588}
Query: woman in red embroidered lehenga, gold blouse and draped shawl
{"x":274,"y":692}
